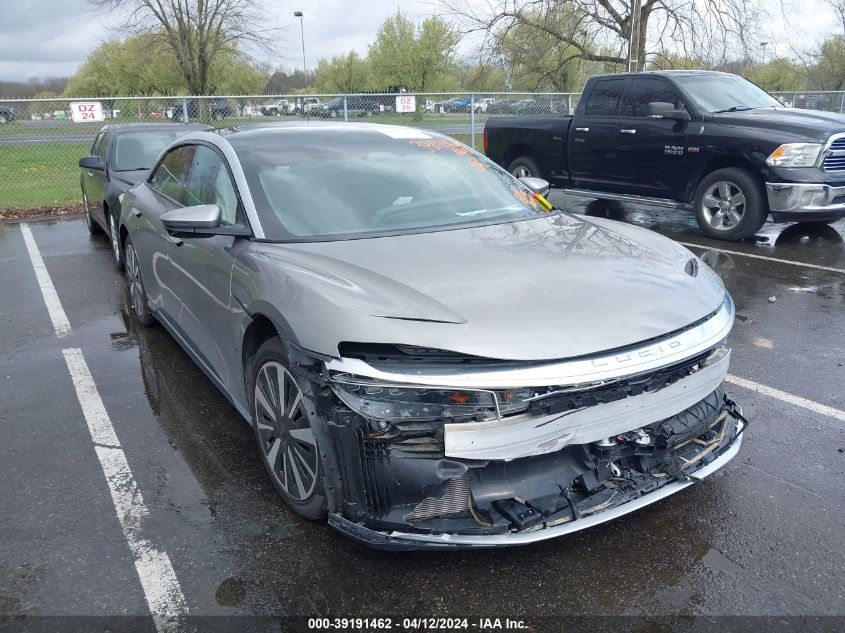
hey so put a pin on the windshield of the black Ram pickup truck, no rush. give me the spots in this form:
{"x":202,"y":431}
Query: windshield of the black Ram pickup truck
{"x":725,"y":93}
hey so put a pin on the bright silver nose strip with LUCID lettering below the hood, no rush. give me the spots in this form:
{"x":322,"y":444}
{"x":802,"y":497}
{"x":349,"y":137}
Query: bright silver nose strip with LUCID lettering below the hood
{"x":554,"y":373}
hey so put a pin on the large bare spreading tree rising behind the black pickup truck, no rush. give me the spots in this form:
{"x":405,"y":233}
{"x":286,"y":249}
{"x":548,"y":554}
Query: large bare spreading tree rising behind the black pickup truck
{"x":619,"y":31}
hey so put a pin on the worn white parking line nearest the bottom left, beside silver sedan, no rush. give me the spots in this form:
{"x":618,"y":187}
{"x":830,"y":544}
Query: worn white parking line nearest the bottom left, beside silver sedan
{"x":158,"y":579}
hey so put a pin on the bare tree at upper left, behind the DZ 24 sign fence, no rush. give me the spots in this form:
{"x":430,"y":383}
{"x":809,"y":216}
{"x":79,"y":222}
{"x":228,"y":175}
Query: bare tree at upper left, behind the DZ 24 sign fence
{"x":196,"y":30}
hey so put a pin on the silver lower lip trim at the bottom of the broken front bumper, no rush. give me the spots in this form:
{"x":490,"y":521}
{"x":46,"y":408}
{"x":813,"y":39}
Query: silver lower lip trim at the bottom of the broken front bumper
{"x":523,"y":538}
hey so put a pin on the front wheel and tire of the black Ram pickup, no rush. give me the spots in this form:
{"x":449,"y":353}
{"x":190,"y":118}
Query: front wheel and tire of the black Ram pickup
{"x":730,"y":204}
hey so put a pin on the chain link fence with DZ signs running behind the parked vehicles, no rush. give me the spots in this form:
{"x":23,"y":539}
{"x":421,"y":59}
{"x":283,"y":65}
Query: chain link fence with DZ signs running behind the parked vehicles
{"x":40,"y":145}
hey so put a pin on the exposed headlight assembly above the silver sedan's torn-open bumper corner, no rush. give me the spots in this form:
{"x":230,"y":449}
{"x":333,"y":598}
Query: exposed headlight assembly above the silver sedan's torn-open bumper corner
{"x":394,"y":402}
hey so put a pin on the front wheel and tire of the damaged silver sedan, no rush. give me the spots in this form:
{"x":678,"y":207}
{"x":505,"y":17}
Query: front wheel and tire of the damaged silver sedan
{"x":285,"y":441}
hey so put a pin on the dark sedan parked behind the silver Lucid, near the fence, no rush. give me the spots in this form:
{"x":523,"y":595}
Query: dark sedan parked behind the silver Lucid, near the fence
{"x":120,"y":157}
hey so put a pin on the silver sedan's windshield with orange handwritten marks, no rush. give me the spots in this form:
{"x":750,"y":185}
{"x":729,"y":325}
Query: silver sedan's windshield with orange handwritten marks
{"x":343,"y":184}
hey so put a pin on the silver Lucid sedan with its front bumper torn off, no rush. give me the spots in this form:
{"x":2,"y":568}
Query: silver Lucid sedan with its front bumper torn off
{"x":429,"y":353}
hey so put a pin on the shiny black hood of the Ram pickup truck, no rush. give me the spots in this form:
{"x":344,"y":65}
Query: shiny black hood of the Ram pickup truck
{"x":815,"y":124}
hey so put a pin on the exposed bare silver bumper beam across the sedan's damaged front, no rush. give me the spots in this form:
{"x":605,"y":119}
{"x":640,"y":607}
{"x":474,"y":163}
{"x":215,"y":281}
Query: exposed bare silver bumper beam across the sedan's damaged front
{"x":525,"y":436}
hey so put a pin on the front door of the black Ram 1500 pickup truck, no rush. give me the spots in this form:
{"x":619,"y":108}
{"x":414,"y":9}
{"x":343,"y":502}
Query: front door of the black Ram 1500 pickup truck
{"x":653,"y":156}
